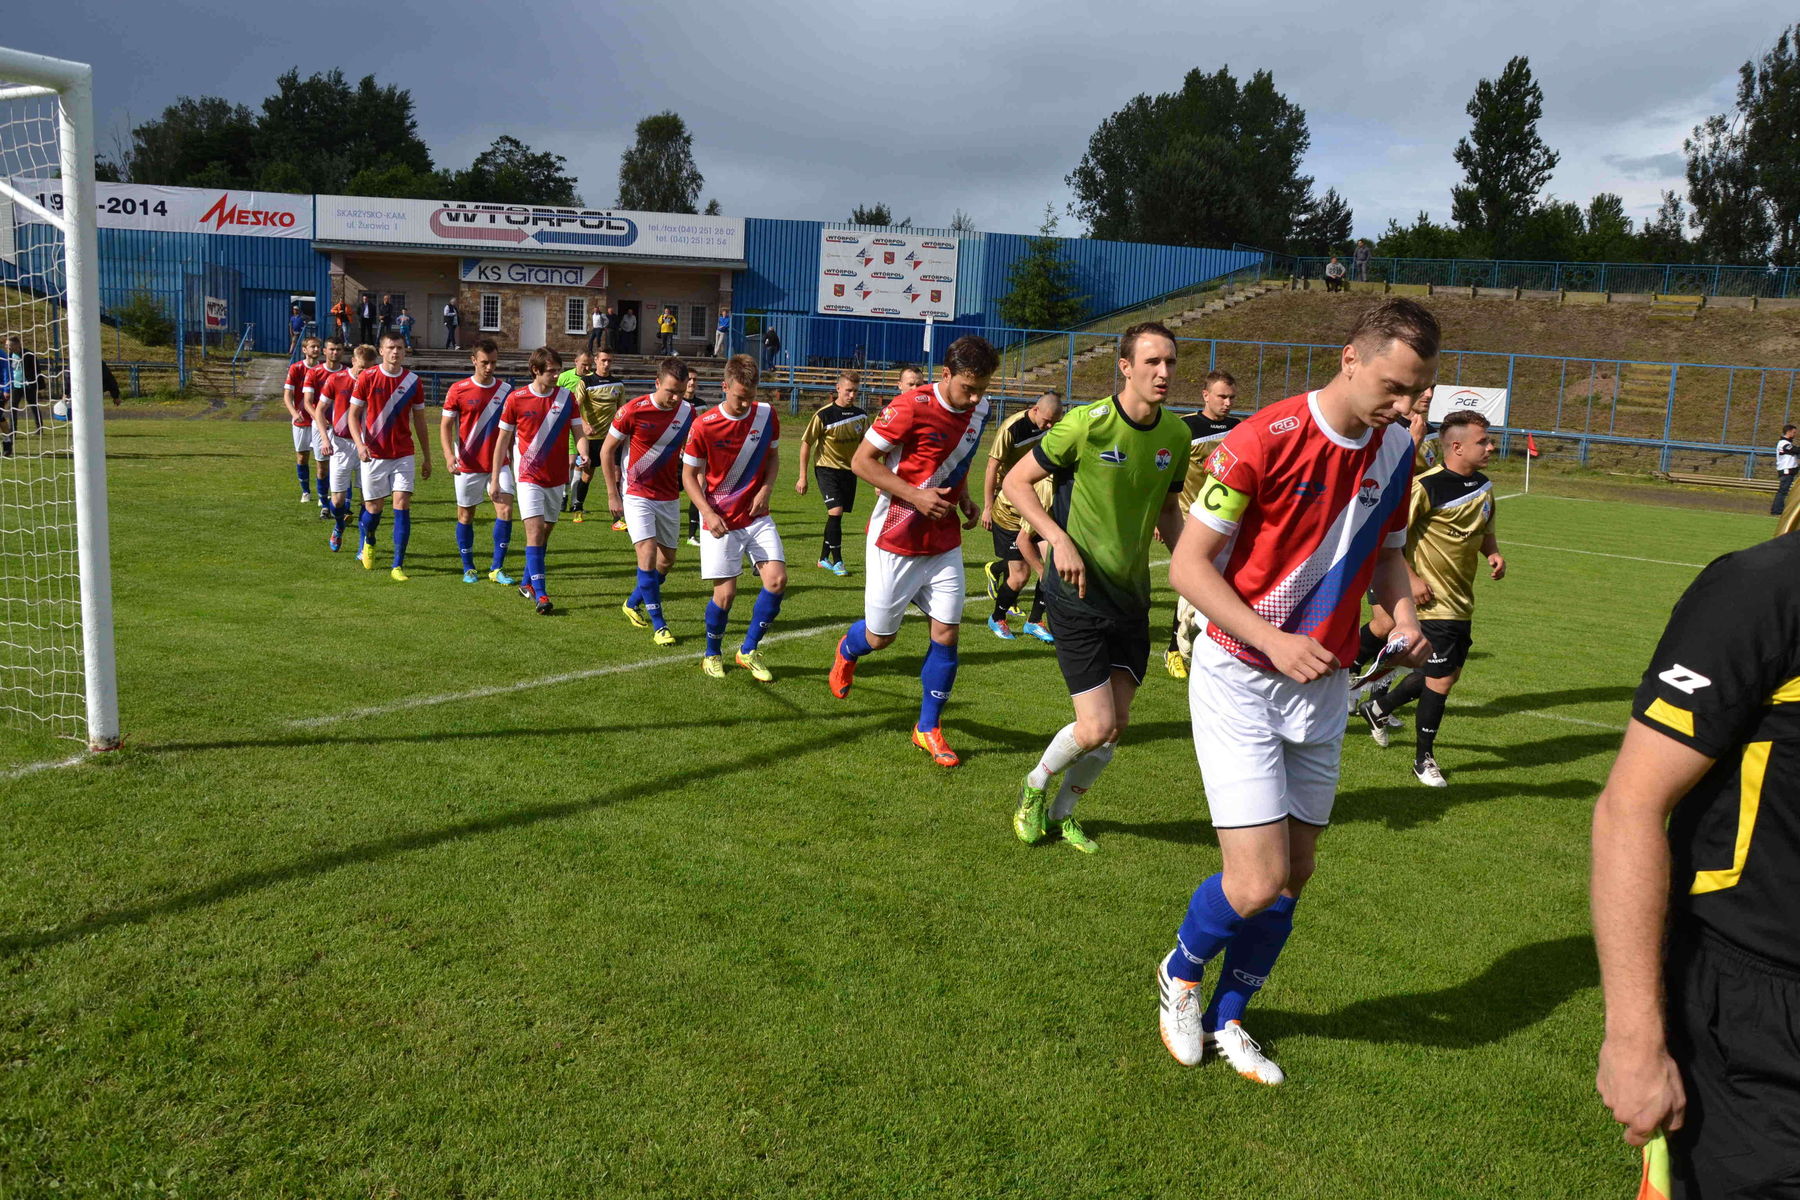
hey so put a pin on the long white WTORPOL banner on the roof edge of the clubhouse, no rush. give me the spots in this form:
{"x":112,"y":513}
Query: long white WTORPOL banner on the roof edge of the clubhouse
{"x":525,"y":228}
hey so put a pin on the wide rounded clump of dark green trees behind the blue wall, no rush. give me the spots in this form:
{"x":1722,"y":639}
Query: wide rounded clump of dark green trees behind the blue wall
{"x":1214,"y":163}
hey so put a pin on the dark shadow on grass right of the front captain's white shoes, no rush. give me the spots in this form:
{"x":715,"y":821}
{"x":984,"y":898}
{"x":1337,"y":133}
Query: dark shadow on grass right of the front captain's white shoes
{"x":1520,"y":990}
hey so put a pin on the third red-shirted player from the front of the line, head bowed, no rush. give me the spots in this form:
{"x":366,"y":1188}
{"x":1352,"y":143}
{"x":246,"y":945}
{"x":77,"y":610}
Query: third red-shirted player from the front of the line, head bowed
{"x":730,"y":469}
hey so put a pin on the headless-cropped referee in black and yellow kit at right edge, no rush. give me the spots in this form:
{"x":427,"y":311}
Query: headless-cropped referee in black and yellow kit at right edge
{"x":1696,"y":888}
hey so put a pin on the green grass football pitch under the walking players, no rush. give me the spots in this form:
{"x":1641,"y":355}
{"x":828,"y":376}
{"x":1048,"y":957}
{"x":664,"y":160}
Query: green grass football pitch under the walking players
{"x":363,"y":911}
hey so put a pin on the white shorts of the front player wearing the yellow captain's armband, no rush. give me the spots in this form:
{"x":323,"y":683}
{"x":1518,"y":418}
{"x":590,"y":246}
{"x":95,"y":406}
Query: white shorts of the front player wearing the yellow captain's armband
{"x":1268,"y":748}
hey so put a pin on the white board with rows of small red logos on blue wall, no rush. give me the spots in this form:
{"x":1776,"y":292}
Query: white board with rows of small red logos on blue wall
{"x":886,"y":274}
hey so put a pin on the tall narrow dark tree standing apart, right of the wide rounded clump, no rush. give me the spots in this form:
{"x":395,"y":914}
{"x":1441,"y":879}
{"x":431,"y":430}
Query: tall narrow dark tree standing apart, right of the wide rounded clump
{"x":1506,"y":165}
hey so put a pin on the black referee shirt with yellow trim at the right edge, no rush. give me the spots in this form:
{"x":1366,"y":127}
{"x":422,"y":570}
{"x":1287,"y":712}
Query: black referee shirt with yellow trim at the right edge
{"x":1725,"y":681}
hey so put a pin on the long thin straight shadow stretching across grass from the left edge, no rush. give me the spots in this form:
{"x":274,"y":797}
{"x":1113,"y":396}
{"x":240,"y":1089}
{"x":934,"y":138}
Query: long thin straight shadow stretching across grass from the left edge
{"x":424,"y":839}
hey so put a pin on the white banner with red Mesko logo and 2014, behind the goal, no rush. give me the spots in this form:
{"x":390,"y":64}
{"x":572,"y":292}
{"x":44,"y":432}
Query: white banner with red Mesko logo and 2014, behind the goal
{"x":184,"y":210}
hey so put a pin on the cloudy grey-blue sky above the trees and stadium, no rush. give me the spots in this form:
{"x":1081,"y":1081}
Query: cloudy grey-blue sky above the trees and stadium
{"x":805,"y":109}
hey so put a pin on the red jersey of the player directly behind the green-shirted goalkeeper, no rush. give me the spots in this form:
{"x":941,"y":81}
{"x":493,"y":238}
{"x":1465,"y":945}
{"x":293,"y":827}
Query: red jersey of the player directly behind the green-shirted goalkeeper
{"x":930,"y":445}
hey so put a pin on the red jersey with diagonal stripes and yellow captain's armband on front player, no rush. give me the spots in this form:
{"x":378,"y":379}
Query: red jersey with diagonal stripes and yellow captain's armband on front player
{"x":1308,"y":512}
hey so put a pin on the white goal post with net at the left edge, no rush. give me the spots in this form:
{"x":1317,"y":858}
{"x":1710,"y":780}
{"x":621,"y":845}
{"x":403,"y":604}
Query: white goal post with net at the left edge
{"x":53,"y":274}
